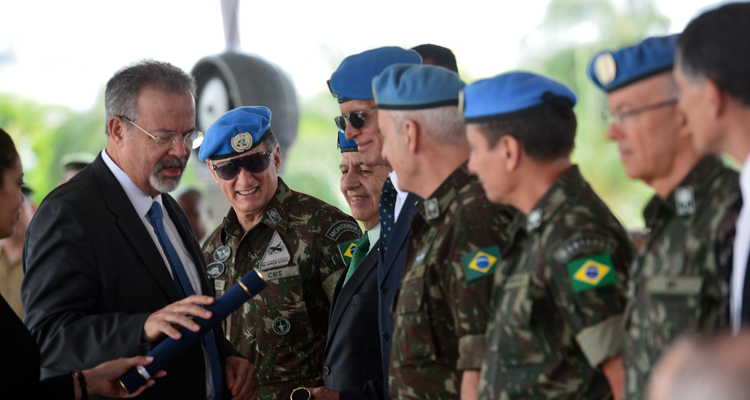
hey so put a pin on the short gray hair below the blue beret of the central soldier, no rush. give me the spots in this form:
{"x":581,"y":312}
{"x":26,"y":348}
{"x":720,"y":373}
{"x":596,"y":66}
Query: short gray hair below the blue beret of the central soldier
{"x":444,"y":124}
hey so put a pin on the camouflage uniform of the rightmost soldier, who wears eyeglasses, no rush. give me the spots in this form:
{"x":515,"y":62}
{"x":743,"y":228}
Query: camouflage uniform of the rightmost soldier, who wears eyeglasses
{"x":676,"y":283}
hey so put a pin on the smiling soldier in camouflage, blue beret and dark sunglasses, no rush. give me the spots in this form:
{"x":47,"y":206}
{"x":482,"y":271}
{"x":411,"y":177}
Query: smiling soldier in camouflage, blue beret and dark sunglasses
{"x":289,"y":237}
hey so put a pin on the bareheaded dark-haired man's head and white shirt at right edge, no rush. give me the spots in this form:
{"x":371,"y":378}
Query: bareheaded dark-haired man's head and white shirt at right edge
{"x":712,"y":73}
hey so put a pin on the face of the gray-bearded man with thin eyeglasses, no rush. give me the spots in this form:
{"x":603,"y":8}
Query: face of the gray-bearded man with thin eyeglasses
{"x":156,"y":169}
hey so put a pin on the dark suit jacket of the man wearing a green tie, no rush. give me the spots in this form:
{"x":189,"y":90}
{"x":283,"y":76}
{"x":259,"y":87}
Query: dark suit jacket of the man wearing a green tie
{"x":352,"y":356}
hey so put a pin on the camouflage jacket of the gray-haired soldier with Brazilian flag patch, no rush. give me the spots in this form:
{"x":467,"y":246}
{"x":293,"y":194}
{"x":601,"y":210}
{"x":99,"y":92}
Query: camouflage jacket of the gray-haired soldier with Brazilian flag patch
{"x":442,"y":307}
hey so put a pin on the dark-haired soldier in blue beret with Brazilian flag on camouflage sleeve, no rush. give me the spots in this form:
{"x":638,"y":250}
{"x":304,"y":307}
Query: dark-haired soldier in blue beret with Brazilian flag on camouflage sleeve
{"x":560,"y":291}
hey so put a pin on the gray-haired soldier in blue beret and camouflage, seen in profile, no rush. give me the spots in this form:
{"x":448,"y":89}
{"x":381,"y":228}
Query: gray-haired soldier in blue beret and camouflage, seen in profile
{"x":457,"y":237}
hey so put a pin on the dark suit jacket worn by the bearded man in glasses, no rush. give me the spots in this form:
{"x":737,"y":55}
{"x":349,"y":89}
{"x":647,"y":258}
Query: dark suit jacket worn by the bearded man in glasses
{"x":93,"y":276}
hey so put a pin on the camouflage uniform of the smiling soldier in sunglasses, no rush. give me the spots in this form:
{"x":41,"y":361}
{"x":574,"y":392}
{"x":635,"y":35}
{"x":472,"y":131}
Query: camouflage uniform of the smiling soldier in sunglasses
{"x":283,"y":330}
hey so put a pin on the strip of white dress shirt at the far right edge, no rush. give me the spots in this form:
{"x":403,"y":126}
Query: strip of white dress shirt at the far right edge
{"x":741,"y":248}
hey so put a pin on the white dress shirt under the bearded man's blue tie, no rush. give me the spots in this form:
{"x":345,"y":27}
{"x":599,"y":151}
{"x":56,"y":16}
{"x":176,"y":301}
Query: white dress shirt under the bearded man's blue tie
{"x":142,"y":204}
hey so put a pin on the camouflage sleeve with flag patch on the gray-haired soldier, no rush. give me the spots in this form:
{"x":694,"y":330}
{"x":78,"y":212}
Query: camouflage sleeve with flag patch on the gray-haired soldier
{"x":472,"y":262}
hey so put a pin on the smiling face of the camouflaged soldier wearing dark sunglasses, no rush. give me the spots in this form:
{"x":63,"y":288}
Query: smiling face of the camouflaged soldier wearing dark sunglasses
{"x":250,"y":193}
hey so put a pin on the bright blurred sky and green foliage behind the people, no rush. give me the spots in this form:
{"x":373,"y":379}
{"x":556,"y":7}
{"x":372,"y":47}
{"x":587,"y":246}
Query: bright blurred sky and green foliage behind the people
{"x":56,"y":56}
